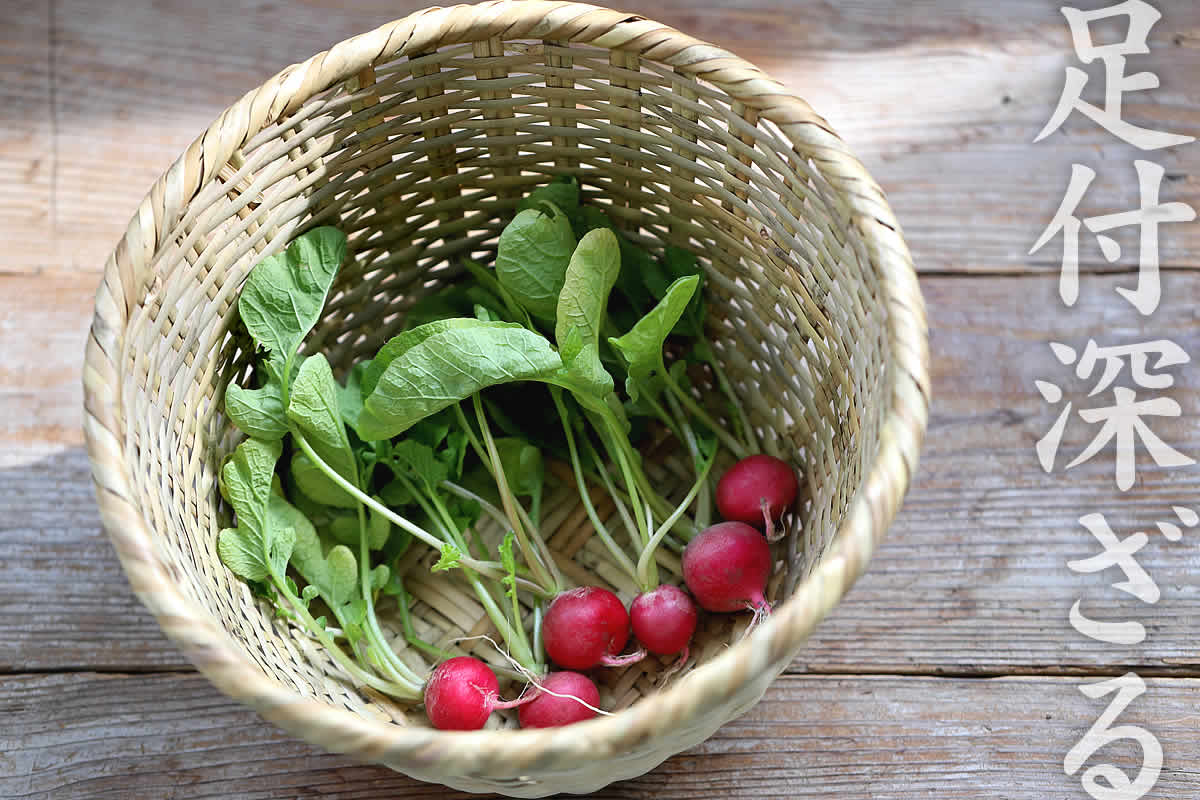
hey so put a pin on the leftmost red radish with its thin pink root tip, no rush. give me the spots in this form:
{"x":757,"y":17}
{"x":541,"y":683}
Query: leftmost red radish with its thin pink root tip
{"x":463,"y":693}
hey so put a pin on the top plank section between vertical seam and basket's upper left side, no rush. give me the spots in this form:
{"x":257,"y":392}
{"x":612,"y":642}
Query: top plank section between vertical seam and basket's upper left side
{"x":140,"y":80}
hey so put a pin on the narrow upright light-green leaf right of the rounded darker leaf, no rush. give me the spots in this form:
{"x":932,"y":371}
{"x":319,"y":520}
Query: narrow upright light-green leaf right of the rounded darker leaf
{"x":591,"y":275}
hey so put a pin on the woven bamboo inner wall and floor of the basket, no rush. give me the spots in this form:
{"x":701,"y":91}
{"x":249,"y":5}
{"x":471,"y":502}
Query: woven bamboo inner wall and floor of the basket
{"x":422,"y":161}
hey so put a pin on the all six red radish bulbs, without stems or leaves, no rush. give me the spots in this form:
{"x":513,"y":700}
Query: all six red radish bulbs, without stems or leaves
{"x":725,"y":568}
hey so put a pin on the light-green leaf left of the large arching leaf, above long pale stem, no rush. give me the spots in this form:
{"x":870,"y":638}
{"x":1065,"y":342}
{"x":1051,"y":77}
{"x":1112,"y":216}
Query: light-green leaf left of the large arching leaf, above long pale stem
{"x":315,"y":410}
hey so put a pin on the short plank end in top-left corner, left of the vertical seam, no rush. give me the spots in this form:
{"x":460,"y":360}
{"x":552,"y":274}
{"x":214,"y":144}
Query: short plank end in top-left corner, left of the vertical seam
{"x":27,"y":154}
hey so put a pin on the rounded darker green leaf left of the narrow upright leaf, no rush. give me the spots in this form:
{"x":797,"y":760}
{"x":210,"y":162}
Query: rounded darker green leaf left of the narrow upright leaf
{"x":532,"y":258}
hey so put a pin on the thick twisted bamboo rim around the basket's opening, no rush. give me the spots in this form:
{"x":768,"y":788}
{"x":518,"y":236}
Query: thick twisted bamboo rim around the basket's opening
{"x":766,"y":652}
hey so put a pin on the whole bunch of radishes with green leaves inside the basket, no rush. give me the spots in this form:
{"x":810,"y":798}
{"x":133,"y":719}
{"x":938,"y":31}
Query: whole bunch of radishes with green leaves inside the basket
{"x":446,"y":426}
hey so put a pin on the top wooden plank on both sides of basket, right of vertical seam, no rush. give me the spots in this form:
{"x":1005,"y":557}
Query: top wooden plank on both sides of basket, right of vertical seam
{"x":941,"y":103}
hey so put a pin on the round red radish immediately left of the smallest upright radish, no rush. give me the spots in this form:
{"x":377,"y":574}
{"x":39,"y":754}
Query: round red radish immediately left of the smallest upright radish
{"x":586,"y":628}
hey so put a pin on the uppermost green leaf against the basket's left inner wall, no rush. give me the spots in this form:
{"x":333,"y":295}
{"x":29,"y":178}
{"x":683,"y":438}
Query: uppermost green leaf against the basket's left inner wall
{"x":284,"y":296}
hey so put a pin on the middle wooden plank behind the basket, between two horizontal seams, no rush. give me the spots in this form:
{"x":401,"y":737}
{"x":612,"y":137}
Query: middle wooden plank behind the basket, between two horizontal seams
{"x":973,"y":579}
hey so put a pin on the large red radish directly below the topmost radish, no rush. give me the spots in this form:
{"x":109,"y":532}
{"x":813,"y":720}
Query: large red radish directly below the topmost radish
{"x":727,"y":568}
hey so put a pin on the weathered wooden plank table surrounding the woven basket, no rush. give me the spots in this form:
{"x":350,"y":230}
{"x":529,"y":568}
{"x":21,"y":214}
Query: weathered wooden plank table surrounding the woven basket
{"x":951,"y":671}
